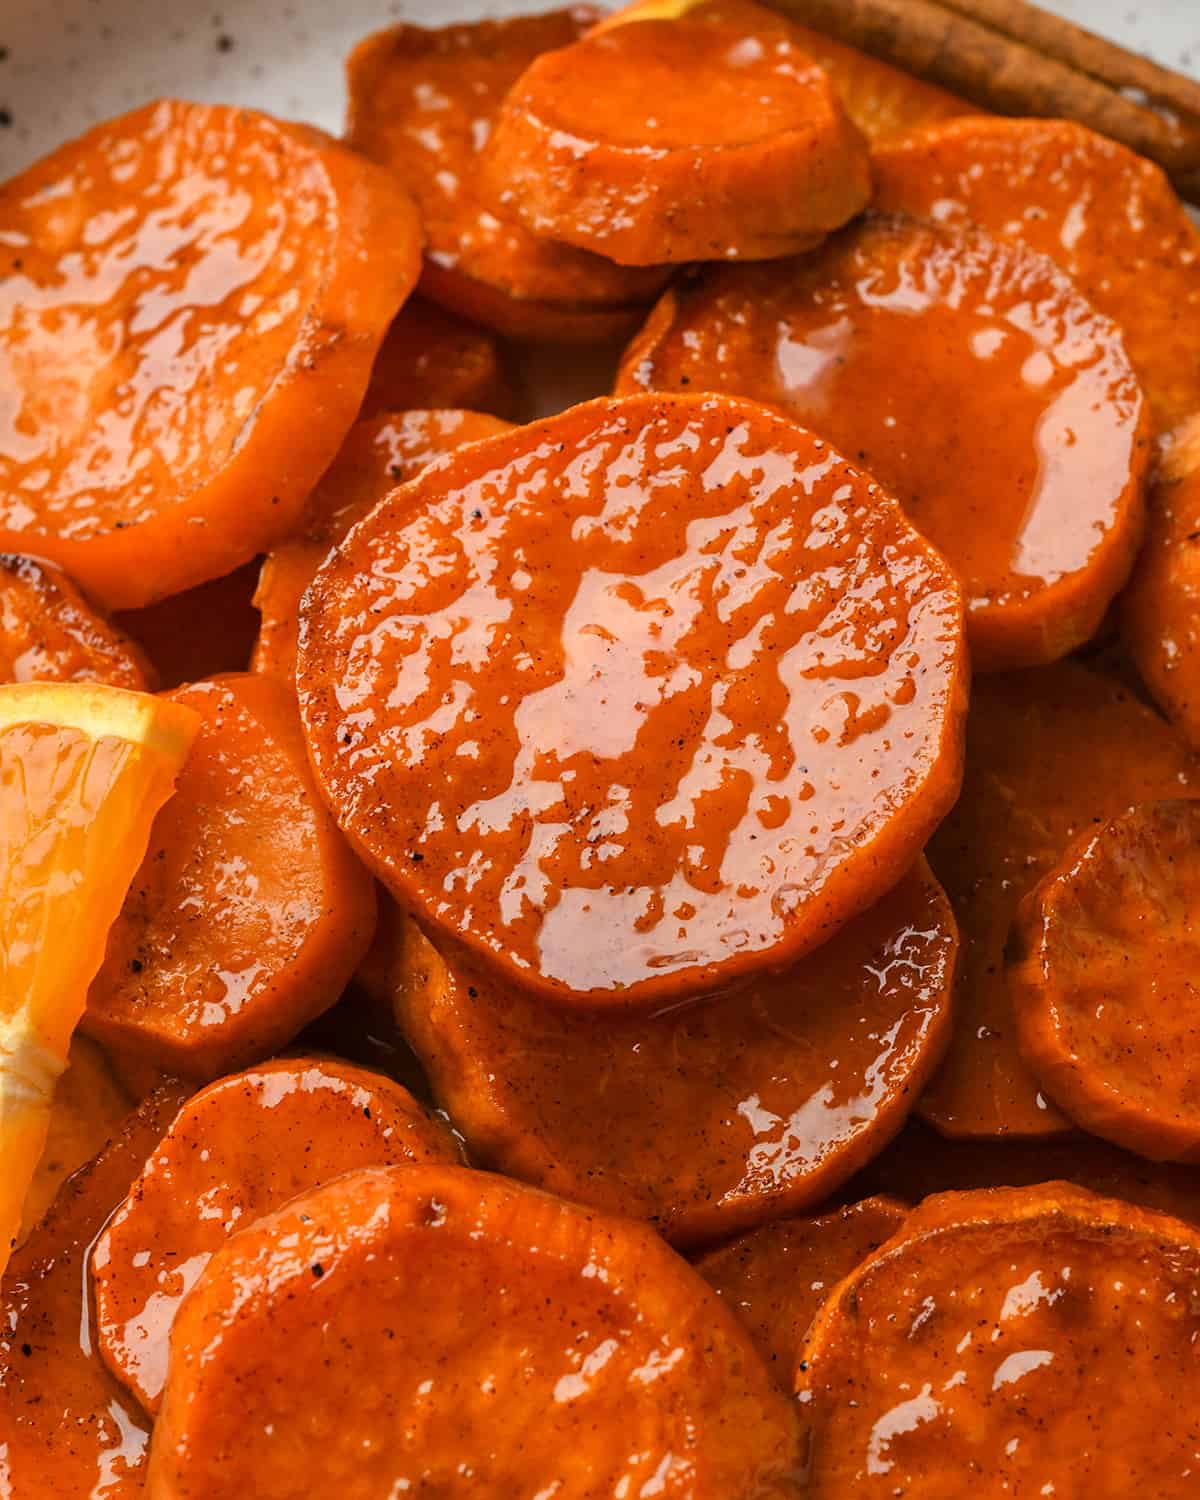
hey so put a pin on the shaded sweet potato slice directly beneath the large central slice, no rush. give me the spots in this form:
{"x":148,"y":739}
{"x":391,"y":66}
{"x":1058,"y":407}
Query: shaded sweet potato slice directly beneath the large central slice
{"x":706,"y":1120}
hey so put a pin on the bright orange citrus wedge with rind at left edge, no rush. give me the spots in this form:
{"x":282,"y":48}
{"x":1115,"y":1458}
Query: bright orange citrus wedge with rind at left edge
{"x":83,"y":772}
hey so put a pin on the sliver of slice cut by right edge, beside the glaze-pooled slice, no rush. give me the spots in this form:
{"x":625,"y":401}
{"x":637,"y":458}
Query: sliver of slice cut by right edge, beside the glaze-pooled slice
{"x":1162,"y":607}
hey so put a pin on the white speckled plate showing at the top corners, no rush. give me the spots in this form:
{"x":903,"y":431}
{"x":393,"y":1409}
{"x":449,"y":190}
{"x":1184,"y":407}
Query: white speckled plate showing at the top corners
{"x":68,"y":64}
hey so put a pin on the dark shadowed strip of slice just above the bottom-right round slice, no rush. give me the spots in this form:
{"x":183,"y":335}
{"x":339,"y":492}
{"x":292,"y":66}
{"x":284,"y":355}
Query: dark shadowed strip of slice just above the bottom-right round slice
{"x":920,"y":1162}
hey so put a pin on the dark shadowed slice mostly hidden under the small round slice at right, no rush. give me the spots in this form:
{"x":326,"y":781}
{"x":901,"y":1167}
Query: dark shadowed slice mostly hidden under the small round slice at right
{"x":1049,"y":754}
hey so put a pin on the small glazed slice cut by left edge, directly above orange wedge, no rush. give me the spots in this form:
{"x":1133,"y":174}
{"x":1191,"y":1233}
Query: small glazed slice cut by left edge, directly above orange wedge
{"x":50,"y":634}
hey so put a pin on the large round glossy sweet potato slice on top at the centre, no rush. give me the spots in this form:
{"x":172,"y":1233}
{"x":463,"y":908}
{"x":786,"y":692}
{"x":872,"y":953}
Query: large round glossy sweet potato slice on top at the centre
{"x":638,"y":700}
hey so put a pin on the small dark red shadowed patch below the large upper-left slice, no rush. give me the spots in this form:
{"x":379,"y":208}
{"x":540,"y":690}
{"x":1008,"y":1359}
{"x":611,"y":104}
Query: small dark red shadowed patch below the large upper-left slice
{"x":203,"y":631}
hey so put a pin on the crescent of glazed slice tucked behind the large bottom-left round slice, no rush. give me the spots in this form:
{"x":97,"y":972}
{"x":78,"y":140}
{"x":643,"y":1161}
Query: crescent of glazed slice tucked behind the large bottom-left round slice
{"x":238,"y":1150}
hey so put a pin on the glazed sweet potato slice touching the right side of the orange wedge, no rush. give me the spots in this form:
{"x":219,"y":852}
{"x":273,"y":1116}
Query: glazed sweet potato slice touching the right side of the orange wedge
{"x":248,"y":914}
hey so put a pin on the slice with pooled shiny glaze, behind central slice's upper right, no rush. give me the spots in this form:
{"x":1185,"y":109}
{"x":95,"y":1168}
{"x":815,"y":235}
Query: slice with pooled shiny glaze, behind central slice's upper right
{"x":1031,"y":478}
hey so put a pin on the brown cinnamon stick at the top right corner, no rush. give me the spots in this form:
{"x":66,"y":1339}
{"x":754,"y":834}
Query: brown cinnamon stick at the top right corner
{"x":1003,"y":74}
